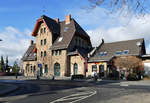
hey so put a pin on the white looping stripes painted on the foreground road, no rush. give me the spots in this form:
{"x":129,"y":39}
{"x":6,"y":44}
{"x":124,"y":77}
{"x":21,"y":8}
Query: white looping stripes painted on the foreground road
{"x":75,"y":97}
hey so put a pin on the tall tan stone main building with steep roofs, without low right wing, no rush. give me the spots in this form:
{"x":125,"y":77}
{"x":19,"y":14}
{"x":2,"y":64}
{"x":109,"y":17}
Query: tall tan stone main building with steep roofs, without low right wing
{"x":58,"y":48}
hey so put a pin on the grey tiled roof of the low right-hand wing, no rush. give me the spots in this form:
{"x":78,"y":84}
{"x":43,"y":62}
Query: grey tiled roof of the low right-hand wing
{"x":112,"y":48}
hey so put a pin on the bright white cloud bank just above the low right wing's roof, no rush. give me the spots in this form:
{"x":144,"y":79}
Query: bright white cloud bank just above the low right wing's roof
{"x":136,"y":28}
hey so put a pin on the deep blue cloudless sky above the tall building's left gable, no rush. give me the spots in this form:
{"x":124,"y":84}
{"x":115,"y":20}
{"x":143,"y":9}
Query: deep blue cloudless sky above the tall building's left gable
{"x":23,"y":13}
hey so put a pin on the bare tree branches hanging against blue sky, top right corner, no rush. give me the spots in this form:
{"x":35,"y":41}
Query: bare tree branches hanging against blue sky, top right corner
{"x":137,"y":7}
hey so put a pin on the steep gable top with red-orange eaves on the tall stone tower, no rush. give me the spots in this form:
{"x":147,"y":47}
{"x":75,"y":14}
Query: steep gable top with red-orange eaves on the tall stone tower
{"x":48,"y":26}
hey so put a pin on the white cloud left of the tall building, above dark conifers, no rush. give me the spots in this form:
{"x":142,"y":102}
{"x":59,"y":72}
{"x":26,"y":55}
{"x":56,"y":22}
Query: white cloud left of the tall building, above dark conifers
{"x":15,"y":43}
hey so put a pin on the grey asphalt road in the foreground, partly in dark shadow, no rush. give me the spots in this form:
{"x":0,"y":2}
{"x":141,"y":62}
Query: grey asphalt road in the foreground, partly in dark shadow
{"x":72,"y":92}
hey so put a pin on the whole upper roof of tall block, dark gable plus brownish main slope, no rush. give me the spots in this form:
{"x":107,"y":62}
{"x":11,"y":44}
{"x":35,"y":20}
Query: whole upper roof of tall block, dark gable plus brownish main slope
{"x":60,"y":30}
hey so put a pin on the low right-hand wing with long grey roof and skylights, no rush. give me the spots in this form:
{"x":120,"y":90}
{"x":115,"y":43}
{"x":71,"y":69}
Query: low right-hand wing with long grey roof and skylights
{"x":100,"y":61}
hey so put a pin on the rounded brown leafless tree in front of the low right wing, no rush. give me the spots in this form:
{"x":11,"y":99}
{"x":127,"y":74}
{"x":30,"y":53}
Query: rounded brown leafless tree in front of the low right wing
{"x":132,"y":63}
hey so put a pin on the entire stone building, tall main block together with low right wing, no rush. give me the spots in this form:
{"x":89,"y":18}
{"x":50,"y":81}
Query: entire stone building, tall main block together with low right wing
{"x":63,"y":48}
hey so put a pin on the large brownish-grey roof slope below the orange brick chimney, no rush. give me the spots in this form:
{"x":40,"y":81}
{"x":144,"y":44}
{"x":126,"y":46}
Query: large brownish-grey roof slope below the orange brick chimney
{"x":67,"y":31}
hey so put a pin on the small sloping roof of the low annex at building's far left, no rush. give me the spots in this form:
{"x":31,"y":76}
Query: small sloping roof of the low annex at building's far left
{"x":29,"y":55}
